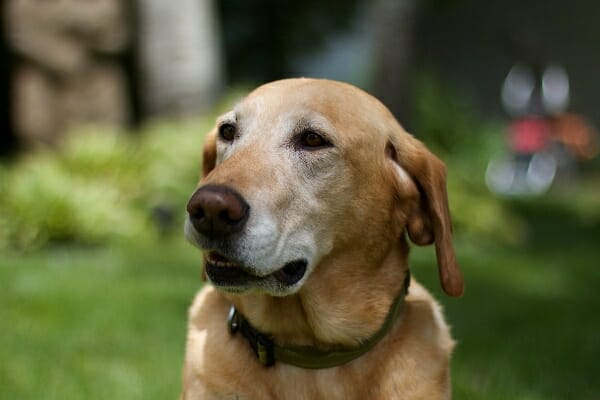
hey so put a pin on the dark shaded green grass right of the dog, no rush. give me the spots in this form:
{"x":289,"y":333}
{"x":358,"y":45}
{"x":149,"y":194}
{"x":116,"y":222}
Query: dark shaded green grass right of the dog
{"x":528,"y":324}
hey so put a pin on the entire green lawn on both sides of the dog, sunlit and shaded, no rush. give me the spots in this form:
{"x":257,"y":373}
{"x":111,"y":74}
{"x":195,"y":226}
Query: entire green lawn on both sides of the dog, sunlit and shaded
{"x":109,"y":322}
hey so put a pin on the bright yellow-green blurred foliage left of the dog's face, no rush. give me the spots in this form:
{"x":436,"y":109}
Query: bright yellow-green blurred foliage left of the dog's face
{"x":100,"y":185}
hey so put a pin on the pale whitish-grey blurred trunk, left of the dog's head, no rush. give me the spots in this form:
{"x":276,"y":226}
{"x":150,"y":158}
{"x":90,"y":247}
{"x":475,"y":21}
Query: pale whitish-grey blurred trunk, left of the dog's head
{"x":180,"y":56}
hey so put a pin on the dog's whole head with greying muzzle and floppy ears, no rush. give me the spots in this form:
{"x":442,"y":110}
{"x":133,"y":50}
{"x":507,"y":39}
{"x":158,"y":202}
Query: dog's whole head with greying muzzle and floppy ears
{"x":302,"y":169}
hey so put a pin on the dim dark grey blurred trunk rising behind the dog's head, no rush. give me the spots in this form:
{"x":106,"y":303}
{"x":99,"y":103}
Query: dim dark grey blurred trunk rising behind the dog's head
{"x":395,"y":21}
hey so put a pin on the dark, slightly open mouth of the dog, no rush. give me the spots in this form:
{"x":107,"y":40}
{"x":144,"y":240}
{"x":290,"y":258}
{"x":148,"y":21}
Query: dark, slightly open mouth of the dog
{"x":224,"y":272}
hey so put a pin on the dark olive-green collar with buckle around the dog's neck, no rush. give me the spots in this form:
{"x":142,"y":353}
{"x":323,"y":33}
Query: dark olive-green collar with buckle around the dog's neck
{"x":310,"y":357}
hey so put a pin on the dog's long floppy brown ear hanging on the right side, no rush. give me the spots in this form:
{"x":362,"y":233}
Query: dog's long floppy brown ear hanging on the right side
{"x":430,"y":220}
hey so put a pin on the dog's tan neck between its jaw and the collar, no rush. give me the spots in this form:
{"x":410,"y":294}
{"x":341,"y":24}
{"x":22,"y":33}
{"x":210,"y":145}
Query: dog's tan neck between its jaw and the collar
{"x":342,"y":303}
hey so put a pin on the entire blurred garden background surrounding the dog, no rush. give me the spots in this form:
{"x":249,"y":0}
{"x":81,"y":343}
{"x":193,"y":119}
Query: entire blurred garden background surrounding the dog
{"x":103,"y":108}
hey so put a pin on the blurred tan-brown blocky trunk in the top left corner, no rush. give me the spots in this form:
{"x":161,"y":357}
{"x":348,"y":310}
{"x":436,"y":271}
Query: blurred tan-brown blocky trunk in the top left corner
{"x":66,"y":69}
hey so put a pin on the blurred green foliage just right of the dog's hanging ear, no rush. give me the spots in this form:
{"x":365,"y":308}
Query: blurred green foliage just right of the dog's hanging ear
{"x":448,"y":122}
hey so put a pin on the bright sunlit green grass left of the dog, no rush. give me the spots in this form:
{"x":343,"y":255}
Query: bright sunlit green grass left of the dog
{"x":103,"y":323}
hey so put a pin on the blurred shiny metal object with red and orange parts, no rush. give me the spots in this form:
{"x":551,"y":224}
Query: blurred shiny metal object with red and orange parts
{"x":544,"y":141}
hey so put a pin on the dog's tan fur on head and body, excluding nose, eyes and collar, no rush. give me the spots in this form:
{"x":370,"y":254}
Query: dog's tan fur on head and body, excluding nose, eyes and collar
{"x":352,"y":204}
